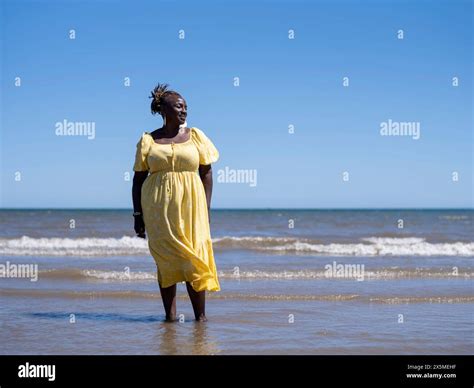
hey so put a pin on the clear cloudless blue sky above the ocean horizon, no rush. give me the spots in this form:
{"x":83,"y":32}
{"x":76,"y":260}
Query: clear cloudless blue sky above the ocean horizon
{"x":282,"y":82}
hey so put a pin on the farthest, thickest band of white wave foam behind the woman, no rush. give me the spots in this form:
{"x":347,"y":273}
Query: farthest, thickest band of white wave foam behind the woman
{"x":134,"y":246}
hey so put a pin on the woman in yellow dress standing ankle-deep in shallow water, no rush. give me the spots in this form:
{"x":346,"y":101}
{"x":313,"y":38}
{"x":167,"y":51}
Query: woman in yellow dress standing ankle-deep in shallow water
{"x":172,"y":203}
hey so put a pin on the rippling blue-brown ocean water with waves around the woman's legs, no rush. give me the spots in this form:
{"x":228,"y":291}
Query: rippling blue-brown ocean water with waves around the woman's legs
{"x":293,"y":282}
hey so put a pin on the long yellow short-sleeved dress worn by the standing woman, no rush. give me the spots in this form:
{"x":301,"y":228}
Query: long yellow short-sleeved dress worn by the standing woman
{"x":175,"y":209}
